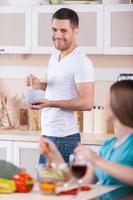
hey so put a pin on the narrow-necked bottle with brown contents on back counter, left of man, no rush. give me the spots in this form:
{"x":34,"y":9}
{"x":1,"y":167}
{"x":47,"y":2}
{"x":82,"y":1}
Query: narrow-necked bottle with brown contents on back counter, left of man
{"x":23,"y":116}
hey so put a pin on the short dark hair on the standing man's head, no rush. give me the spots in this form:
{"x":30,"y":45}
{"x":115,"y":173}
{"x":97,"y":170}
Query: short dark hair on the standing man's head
{"x":66,"y":13}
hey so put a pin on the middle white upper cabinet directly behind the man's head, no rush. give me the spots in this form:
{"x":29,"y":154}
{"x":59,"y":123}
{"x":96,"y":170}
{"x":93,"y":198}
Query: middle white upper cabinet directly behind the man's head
{"x":90,"y":37}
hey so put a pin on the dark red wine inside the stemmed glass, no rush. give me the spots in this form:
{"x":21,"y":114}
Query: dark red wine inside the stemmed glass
{"x":79,"y":170}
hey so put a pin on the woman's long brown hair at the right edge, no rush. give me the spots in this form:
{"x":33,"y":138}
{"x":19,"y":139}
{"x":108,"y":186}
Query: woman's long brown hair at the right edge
{"x":121,"y":101}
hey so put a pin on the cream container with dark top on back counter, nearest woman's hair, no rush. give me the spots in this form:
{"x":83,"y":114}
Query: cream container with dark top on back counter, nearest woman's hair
{"x":99,"y":120}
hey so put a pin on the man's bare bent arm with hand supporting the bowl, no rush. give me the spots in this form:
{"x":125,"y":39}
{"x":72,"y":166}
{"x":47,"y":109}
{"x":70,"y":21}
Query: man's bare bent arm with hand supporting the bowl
{"x":83,"y":102}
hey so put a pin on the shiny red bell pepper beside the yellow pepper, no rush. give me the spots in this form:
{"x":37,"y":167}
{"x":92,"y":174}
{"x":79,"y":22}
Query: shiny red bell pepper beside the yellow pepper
{"x":24,"y":182}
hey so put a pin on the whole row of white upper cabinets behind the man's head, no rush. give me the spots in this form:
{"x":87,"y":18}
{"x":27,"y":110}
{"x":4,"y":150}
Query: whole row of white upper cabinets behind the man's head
{"x":104,"y":29}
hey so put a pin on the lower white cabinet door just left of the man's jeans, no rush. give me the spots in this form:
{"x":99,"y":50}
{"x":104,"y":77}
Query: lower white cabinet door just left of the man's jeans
{"x":26,"y":156}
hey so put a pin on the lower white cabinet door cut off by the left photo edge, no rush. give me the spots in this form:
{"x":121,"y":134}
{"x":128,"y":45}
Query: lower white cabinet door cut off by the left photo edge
{"x":6,"y":150}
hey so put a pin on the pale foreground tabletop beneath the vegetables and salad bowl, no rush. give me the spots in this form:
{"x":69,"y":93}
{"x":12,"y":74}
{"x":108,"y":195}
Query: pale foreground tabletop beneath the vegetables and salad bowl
{"x":37,"y":195}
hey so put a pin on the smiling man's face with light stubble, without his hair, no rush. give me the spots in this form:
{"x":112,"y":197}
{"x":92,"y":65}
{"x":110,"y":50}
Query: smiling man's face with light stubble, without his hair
{"x":63,"y":34}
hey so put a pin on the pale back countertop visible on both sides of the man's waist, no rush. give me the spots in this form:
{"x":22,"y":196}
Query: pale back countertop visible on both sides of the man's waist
{"x":34,"y":136}
